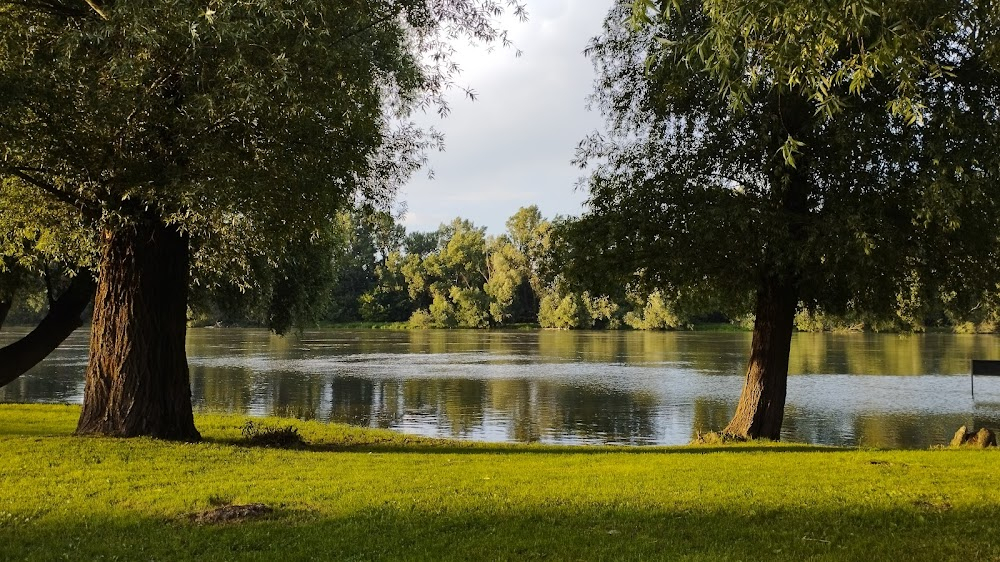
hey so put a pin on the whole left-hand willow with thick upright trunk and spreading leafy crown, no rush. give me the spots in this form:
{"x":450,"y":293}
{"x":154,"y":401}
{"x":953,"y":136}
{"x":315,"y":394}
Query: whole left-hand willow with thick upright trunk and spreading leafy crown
{"x":195,"y":136}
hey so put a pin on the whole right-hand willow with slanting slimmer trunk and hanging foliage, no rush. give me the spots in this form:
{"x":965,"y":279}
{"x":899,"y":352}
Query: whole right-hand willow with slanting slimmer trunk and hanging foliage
{"x":796,"y":154}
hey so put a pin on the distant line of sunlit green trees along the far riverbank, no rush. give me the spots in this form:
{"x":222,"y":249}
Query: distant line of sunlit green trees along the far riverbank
{"x":460,"y":277}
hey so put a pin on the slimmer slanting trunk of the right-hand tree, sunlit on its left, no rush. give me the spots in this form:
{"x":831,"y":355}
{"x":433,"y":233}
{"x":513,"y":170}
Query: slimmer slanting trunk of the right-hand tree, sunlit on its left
{"x":761,"y":409}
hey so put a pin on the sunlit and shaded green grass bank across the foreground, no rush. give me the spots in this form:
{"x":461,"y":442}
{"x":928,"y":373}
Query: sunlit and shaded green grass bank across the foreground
{"x":359,"y":494}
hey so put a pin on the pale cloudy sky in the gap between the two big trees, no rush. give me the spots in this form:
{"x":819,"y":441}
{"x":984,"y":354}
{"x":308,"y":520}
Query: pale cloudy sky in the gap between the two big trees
{"x":512,"y":147}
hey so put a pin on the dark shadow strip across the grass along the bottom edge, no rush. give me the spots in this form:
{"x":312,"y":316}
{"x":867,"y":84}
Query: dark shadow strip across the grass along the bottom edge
{"x":422,"y":532}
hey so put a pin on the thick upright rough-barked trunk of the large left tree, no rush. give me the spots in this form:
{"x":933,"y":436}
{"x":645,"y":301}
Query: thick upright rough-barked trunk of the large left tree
{"x":137,"y":377}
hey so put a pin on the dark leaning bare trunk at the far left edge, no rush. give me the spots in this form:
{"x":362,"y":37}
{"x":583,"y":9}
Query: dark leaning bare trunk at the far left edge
{"x":63,"y":317}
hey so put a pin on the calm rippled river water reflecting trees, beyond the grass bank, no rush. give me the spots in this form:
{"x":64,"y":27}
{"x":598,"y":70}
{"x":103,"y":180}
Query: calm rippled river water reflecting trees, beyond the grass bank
{"x":571,"y":387}
